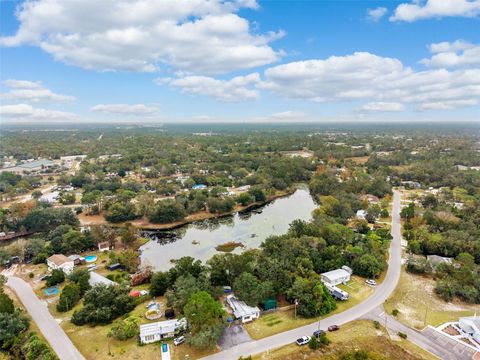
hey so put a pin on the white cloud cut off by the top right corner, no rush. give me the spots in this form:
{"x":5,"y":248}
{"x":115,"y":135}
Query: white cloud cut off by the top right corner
{"x":421,"y":9}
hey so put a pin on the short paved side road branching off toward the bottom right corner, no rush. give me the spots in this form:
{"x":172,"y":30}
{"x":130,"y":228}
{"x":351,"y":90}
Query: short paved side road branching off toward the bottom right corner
{"x":427,"y":339}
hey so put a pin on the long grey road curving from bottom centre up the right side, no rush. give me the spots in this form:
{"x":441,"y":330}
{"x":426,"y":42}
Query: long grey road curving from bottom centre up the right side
{"x":382,"y":292}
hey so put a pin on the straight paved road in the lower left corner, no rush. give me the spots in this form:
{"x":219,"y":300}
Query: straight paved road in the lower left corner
{"x":50,"y":329}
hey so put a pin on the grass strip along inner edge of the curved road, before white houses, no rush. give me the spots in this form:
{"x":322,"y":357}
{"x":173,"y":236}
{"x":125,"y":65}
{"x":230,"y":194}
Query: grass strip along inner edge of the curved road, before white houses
{"x":279,"y":321}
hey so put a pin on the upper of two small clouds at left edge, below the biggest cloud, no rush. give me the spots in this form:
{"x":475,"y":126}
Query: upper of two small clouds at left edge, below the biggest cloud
{"x":23,"y":90}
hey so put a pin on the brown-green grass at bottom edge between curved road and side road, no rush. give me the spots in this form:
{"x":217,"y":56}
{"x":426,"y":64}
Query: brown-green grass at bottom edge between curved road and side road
{"x":352,"y":336}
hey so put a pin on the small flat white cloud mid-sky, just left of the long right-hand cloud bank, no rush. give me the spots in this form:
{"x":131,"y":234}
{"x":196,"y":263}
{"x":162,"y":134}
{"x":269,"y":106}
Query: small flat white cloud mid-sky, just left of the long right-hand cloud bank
{"x":239,"y":88}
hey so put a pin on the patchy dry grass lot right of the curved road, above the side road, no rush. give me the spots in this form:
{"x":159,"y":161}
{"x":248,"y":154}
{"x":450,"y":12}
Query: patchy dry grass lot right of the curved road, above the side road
{"x":416,"y":301}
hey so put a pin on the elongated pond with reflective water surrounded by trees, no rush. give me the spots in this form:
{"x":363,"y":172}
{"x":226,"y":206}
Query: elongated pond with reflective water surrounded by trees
{"x":199,"y":240}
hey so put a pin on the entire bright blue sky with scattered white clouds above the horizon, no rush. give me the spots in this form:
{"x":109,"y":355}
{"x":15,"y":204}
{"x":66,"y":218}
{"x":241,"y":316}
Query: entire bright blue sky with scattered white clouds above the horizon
{"x":195,"y":60}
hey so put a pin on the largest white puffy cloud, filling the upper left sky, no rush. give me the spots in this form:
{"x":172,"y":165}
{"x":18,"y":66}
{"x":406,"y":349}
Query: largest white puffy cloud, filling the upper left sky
{"x":196,"y":36}
